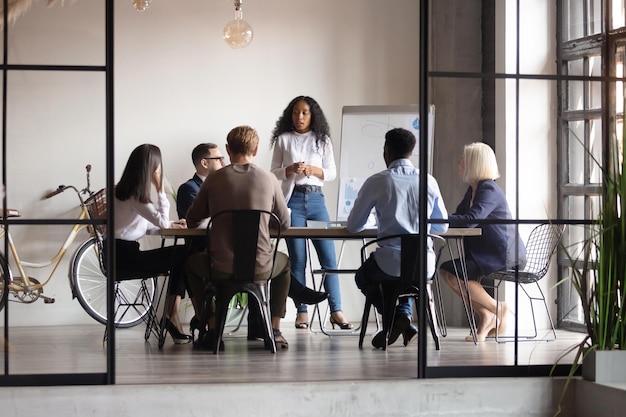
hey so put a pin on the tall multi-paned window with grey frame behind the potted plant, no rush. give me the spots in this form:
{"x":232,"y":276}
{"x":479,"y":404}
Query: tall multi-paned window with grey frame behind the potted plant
{"x":591,"y":112}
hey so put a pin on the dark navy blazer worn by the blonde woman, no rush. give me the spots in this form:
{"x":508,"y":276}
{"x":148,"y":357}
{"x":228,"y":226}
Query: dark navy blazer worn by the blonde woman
{"x":495,"y":248}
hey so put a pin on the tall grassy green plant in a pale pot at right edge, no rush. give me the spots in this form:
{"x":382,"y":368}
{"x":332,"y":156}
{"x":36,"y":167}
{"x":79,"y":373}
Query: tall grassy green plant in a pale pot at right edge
{"x":599,"y":278}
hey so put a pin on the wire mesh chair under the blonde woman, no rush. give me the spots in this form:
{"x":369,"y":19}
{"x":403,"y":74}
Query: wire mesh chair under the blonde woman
{"x":541,"y":245}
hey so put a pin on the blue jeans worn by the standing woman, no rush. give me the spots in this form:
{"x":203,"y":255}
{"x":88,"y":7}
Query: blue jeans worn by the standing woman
{"x":311,"y":206}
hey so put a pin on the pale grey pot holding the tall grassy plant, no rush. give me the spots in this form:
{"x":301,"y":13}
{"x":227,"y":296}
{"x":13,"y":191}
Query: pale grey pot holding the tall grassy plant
{"x":605,"y":366}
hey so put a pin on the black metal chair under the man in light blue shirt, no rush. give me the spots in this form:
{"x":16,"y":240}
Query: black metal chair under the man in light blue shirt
{"x":407,"y":285}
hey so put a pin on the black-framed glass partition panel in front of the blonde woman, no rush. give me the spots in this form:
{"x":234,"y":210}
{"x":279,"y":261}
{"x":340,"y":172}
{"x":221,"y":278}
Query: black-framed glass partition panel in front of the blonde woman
{"x":540,"y":82}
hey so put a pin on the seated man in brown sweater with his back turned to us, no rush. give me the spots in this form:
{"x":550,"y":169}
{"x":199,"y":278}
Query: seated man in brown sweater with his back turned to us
{"x":241,"y":185}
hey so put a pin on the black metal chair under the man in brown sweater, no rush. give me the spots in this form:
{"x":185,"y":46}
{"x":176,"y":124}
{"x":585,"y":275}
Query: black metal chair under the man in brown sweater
{"x":244,"y":226}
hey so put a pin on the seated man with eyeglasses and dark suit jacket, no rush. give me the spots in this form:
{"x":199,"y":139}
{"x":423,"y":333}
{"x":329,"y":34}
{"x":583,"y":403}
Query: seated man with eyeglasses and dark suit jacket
{"x":207,"y":159}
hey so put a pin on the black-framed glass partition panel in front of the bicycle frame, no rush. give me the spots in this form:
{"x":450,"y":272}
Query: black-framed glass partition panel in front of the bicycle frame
{"x":57,"y":127}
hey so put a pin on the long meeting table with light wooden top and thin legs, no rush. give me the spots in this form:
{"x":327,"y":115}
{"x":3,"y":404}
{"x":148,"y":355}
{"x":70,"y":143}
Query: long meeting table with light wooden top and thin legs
{"x":453,"y":238}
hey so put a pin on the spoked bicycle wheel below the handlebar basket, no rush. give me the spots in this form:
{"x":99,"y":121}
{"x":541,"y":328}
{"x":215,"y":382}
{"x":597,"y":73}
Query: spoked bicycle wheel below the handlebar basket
{"x":133,"y":298}
